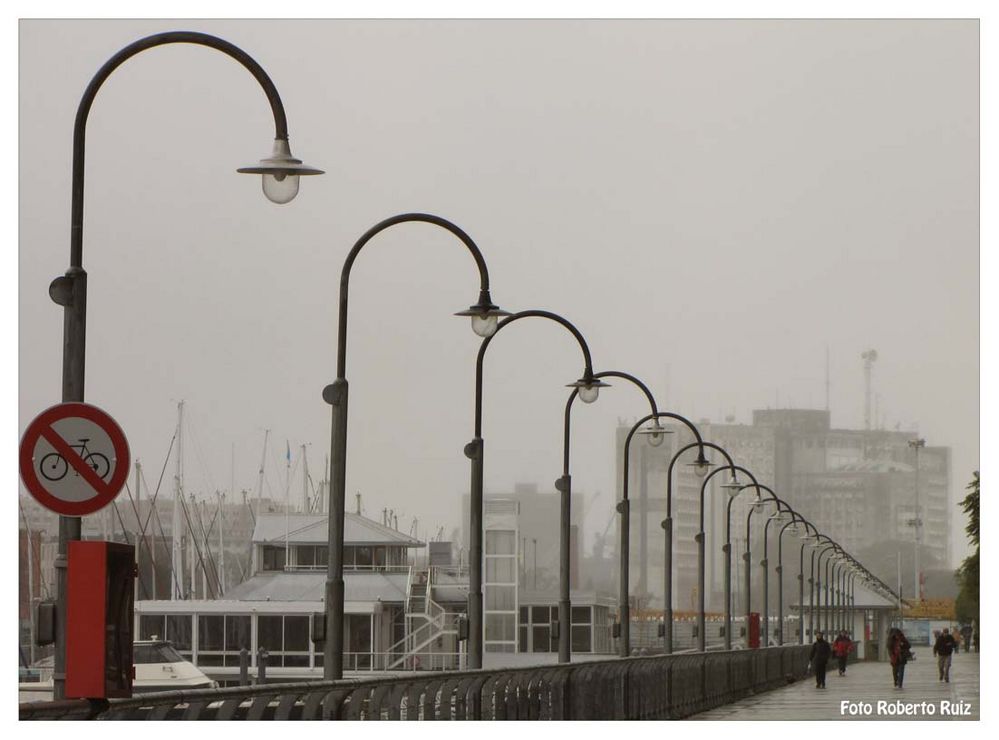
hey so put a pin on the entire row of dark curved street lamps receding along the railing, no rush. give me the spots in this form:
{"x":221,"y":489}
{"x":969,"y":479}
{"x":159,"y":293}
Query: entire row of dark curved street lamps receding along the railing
{"x":280,"y":176}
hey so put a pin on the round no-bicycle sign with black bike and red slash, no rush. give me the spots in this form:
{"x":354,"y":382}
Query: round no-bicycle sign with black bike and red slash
{"x":74,"y":459}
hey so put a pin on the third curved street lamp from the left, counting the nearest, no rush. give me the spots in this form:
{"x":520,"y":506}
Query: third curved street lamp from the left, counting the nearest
{"x":588,"y":387}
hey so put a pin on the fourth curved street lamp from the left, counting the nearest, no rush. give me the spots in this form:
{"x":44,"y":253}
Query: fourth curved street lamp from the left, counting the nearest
{"x":563,"y":485}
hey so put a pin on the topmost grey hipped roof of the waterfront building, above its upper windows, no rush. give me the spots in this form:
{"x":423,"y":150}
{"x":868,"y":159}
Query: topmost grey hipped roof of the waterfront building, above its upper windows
{"x":311,"y":529}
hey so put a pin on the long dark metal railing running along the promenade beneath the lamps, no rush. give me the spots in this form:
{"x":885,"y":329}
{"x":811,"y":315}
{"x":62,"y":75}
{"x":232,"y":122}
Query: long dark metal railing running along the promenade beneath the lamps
{"x":660,"y":687}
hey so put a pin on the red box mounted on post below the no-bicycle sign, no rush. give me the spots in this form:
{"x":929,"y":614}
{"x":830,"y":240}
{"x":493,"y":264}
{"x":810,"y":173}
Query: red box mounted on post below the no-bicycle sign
{"x":100,"y":583}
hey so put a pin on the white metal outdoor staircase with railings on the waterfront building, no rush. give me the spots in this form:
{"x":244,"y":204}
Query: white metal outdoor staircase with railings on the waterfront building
{"x":431,"y":641}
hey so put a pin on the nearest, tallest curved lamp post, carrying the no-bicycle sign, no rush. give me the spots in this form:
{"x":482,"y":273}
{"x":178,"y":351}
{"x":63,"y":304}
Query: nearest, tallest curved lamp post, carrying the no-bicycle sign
{"x":70,"y":290}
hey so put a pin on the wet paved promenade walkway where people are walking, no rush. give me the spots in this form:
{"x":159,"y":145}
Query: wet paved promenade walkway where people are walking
{"x":870,"y":683}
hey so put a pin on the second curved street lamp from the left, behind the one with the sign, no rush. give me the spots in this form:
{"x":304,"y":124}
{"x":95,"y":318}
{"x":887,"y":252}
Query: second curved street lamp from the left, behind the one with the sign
{"x":484,"y":314}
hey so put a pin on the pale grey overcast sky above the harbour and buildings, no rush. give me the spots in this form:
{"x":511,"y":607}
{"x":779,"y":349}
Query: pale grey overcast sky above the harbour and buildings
{"x":712,"y":203}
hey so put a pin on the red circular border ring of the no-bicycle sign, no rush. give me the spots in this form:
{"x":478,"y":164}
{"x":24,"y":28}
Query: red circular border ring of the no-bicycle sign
{"x":34,"y":432}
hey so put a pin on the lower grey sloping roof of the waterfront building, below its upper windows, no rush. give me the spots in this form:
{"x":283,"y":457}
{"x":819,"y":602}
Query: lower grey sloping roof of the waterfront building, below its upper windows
{"x":310,"y":586}
